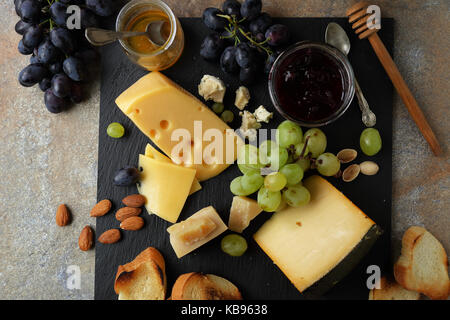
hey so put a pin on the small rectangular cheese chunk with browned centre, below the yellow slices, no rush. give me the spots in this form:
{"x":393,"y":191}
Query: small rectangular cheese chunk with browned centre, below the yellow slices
{"x":195,"y":231}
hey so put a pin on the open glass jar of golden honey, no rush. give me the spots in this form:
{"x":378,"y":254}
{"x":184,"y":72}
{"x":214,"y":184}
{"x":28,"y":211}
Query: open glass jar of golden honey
{"x":136,"y":16}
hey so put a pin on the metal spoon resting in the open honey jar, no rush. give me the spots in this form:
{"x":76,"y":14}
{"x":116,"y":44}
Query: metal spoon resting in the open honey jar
{"x":100,"y":37}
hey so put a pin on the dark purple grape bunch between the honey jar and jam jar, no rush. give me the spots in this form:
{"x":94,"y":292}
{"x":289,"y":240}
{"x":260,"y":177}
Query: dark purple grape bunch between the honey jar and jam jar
{"x":244,"y":40}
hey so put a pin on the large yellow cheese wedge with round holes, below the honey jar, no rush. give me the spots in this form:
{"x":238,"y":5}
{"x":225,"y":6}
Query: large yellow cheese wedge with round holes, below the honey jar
{"x":158,"y":107}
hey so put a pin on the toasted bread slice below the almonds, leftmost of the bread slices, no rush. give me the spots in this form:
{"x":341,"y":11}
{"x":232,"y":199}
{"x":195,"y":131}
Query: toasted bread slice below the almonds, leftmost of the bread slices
{"x":144,"y":278}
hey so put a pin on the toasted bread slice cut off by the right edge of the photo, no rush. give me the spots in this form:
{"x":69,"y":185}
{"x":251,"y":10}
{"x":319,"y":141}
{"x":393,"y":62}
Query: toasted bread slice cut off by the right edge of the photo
{"x":423,"y":264}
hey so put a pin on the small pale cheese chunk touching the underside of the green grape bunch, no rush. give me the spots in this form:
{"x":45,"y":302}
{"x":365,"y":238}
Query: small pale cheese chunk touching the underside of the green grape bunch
{"x":242,"y":211}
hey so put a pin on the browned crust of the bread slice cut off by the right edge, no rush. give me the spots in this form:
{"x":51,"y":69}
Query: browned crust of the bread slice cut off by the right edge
{"x":403,"y":272}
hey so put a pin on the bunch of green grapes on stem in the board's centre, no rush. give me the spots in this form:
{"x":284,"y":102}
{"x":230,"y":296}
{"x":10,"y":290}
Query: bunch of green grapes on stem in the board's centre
{"x":275,"y":170}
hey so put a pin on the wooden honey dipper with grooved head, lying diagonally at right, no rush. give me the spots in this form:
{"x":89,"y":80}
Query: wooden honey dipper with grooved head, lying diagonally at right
{"x":359,"y":17}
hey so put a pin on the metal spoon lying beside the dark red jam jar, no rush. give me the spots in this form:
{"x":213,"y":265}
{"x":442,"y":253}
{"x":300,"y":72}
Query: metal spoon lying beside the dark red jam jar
{"x":337,"y":37}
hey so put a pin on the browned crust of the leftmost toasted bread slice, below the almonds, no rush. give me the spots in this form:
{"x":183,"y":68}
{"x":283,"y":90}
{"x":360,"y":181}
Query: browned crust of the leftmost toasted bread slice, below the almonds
{"x":125,"y":272}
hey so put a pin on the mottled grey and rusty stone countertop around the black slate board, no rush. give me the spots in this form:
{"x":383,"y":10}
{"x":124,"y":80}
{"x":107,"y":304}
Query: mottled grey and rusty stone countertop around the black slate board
{"x":46,"y":160}
